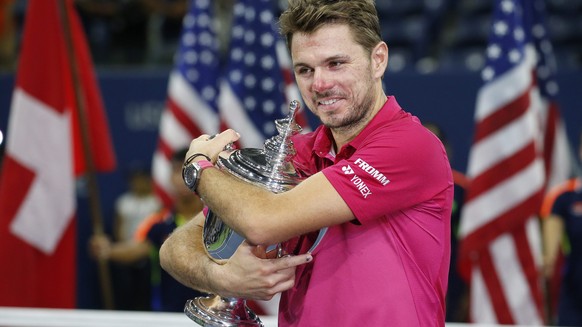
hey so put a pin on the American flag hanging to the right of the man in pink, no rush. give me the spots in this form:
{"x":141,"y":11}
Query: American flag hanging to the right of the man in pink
{"x":519,"y":149}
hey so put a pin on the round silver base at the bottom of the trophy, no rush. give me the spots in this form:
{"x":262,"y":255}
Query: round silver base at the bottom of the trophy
{"x":216,"y":311}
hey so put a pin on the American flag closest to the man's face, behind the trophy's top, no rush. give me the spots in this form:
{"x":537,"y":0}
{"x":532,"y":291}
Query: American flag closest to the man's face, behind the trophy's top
{"x":254,"y":90}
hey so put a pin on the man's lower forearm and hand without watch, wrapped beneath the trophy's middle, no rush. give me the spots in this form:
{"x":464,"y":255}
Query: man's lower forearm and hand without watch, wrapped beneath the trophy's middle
{"x":247,"y":274}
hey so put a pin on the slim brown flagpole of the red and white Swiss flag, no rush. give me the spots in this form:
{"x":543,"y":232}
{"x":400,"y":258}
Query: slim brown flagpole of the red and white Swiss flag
{"x":93,"y":187}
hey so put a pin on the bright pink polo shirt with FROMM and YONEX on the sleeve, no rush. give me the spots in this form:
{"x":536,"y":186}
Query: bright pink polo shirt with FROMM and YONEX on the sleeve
{"x":389,"y":266}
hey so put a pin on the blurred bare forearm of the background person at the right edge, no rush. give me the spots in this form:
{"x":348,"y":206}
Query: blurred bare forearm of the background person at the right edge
{"x":552,"y":233}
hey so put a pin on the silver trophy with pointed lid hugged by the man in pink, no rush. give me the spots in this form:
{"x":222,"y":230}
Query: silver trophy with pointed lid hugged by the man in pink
{"x":270,"y":168}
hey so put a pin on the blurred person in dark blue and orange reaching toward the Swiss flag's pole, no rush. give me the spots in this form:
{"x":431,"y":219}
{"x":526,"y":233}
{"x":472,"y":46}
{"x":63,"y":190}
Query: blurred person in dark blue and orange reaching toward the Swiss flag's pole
{"x":166,"y":293}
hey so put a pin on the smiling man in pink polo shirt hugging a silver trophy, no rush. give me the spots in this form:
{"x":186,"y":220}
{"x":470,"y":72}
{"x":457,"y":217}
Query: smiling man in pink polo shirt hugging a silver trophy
{"x":378,"y":179}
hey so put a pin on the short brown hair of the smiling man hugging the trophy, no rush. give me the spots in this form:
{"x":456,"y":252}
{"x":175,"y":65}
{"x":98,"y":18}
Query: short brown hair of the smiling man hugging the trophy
{"x":307,"y":16}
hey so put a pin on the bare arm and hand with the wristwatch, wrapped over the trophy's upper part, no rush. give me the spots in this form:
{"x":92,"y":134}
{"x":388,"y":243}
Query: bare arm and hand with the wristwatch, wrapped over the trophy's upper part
{"x":259,"y":215}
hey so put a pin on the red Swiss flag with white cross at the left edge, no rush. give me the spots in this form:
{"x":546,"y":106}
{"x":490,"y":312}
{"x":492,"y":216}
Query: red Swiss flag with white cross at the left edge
{"x":44,"y":154}
